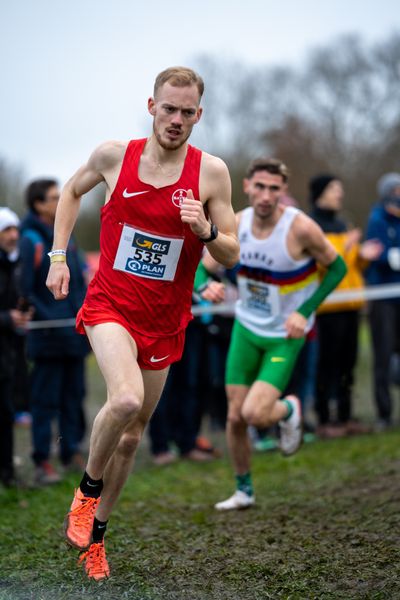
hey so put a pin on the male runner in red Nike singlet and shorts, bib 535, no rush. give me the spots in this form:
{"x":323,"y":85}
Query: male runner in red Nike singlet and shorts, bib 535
{"x":165,"y":199}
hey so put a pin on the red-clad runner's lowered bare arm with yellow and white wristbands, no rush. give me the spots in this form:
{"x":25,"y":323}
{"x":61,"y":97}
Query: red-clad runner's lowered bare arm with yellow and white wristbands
{"x":97,"y":169}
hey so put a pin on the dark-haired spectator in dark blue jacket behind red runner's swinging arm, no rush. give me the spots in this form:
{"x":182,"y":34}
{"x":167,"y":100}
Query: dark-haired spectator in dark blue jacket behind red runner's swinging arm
{"x":57,"y":353}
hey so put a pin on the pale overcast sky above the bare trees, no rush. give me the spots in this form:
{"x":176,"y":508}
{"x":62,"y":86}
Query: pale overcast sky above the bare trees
{"x":76,"y":73}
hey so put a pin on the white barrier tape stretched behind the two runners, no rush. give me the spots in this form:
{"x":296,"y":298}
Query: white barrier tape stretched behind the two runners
{"x":373,"y":292}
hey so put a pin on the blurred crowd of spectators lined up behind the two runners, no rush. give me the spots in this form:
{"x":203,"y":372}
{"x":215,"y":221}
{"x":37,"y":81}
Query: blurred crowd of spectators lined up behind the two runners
{"x":42,"y":366}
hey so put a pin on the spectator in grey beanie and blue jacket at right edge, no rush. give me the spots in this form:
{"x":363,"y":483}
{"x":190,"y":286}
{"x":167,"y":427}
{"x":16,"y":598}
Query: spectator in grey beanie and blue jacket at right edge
{"x":384,"y":315}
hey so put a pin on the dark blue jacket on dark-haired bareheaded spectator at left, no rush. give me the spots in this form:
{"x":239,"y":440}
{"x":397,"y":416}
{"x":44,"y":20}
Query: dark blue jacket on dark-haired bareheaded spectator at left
{"x":36,"y":242}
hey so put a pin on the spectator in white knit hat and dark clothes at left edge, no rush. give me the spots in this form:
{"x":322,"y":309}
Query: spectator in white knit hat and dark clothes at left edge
{"x":12,"y":320}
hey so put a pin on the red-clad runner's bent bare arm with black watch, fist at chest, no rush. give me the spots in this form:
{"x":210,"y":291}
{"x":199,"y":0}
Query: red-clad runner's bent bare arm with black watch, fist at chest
{"x":215,"y":189}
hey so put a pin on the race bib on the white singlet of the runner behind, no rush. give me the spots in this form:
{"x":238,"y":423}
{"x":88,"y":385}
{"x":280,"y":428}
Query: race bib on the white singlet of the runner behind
{"x":259,"y":297}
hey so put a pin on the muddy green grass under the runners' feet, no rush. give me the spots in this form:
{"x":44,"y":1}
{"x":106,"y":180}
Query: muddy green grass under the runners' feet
{"x":326,"y":525}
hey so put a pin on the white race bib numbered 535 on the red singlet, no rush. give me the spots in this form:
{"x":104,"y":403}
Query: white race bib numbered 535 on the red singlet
{"x":147,"y":255}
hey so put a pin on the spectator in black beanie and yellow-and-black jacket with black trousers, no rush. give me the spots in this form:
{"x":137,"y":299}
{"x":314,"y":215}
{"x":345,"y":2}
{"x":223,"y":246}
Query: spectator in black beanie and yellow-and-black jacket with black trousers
{"x":337,"y":324}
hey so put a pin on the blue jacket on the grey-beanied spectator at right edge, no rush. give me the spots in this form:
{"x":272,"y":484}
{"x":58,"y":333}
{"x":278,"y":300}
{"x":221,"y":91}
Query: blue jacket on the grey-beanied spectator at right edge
{"x":385,"y":228}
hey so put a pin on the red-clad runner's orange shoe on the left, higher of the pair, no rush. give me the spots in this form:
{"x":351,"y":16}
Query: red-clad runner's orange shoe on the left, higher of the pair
{"x":78,"y":523}
